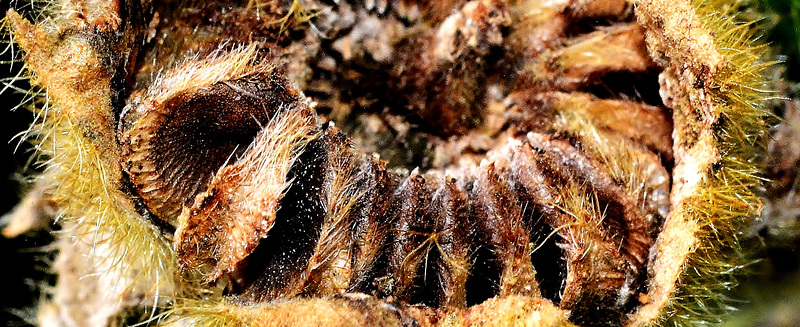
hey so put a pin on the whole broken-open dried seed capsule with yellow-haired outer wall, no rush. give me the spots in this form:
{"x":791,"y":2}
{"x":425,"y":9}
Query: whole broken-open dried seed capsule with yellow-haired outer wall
{"x":395,"y":162}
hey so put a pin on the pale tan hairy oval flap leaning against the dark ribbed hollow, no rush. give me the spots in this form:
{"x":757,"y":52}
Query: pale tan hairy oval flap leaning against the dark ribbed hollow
{"x":226,"y":222}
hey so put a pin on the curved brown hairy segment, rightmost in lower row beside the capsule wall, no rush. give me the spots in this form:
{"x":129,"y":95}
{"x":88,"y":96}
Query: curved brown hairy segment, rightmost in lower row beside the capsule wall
{"x":551,"y":181}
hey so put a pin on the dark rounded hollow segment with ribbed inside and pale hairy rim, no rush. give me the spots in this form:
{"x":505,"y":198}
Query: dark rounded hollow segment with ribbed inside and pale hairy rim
{"x":192,"y":122}
